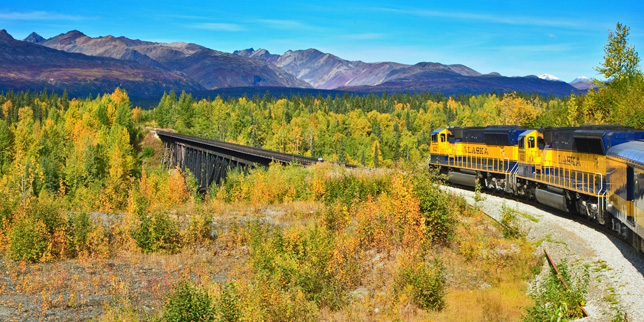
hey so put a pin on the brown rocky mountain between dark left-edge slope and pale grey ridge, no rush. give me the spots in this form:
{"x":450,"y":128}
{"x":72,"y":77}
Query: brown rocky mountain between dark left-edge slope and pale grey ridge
{"x":210,"y":68}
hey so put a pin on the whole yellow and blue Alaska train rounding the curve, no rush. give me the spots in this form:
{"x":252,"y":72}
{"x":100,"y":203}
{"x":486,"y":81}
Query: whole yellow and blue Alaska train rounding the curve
{"x":592,"y":171}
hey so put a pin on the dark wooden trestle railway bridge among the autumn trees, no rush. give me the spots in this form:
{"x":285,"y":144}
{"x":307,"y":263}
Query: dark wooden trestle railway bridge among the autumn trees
{"x":210,"y":160}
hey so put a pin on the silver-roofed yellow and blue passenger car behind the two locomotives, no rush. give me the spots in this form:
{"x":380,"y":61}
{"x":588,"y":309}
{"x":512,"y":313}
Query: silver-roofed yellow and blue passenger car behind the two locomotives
{"x":626,"y":191}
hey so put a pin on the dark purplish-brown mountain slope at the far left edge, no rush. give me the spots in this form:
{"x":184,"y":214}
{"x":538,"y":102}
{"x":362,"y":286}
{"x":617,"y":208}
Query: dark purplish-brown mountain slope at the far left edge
{"x":28,"y":66}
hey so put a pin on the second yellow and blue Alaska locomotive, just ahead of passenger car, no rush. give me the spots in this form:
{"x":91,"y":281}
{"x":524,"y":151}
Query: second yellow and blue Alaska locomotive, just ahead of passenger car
{"x":565,"y":167}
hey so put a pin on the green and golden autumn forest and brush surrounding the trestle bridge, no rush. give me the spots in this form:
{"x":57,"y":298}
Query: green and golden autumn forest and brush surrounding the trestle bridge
{"x":81,"y":182}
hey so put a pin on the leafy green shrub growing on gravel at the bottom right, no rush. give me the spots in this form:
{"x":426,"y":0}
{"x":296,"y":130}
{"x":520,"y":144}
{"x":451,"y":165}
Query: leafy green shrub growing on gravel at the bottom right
{"x":552,"y":302}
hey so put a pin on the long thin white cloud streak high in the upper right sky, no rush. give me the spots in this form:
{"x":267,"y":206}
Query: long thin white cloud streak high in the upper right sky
{"x":516,"y":20}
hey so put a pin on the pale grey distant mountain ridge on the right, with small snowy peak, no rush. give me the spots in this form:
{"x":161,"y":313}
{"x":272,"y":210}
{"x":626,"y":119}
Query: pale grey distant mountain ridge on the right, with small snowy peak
{"x":327,"y":71}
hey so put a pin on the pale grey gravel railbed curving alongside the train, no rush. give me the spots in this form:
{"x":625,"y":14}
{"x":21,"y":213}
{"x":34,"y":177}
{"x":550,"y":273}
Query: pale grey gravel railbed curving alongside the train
{"x":616,"y":269}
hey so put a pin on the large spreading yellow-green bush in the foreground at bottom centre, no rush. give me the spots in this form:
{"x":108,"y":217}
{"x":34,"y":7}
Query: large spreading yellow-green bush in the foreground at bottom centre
{"x":306,"y":260}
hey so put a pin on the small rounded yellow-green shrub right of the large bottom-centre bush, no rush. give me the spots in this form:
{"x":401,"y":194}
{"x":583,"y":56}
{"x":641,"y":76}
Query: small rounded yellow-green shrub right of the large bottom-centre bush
{"x":424,"y":283}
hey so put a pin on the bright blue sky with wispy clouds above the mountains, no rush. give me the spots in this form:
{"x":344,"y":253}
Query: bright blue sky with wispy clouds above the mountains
{"x":514,"y":38}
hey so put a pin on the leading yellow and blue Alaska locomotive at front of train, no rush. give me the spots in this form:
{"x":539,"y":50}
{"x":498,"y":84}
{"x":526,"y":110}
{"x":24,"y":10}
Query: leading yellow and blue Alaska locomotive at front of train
{"x":477,"y":155}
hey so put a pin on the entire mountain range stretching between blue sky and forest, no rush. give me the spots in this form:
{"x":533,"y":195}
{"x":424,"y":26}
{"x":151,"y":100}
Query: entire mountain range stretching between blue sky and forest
{"x":84,"y":65}
